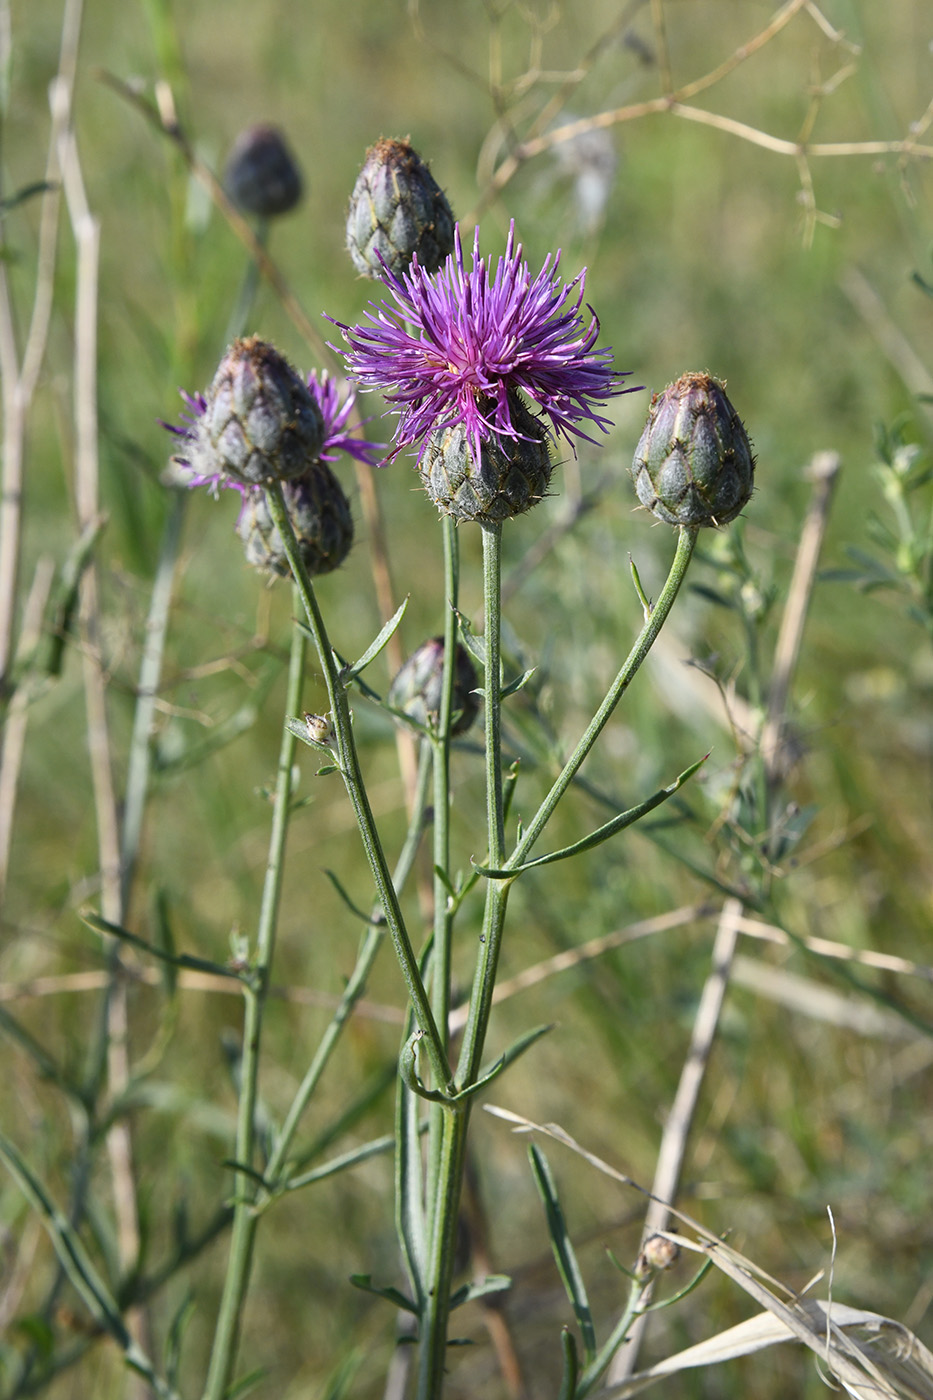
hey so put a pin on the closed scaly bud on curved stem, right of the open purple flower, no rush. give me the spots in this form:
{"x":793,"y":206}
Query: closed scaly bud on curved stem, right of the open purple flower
{"x":694,"y":464}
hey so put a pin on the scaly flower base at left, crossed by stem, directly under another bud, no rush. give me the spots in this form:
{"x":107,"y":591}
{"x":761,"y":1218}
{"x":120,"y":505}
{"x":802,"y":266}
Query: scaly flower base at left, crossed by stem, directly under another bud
{"x":320,"y":516}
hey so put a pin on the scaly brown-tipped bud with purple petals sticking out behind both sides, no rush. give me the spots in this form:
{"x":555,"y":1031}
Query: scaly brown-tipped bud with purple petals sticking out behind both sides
{"x":260,"y":423}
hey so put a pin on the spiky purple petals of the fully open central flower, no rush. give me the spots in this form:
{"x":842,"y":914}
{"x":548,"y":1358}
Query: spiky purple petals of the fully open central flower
{"x":450,"y":346}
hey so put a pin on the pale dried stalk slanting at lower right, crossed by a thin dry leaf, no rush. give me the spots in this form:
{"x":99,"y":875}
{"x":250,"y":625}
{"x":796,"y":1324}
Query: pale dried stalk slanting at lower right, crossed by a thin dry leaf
{"x":670,"y":1161}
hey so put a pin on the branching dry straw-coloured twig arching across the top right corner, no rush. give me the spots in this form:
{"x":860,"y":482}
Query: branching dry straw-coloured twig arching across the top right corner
{"x":675,"y":101}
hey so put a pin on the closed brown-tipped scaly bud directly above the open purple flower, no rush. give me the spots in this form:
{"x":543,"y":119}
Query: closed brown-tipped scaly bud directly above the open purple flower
{"x":397,"y":209}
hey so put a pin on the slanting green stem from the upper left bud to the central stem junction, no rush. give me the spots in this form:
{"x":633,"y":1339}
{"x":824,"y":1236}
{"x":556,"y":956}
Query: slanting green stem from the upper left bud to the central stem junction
{"x":350,"y":765}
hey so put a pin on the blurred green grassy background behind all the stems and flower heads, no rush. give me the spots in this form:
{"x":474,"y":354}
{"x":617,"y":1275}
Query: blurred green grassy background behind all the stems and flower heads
{"x":703,"y":261}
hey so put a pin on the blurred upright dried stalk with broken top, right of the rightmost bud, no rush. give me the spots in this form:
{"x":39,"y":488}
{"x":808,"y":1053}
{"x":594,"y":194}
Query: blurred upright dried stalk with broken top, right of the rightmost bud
{"x":823,"y":472}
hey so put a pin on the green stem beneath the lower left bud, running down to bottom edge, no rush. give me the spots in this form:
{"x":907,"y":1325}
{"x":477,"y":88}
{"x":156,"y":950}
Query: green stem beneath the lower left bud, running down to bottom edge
{"x":239,"y":1266}
